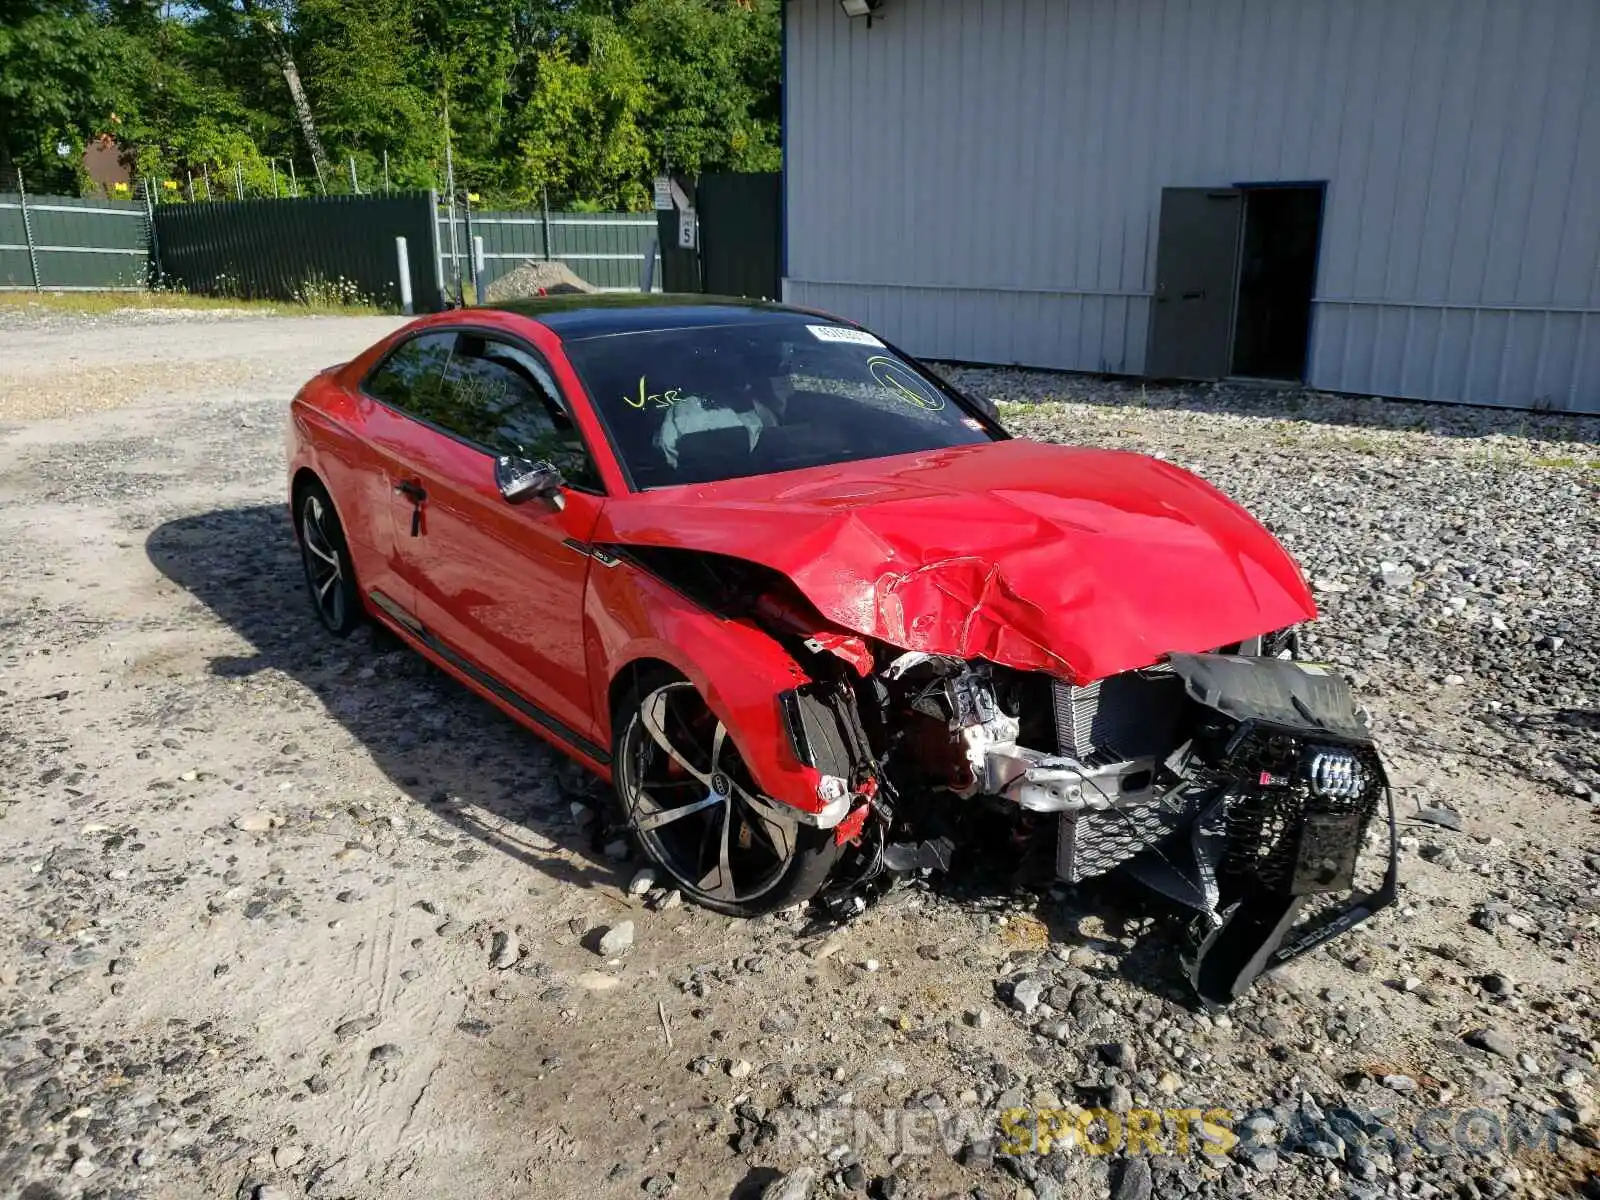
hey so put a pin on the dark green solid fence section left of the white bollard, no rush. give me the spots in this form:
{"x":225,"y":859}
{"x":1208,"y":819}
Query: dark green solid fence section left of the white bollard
{"x":334,"y":250}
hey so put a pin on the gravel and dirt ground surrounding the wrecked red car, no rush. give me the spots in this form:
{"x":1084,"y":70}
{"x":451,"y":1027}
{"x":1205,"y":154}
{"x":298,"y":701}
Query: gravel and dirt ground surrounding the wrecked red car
{"x":297,"y":918}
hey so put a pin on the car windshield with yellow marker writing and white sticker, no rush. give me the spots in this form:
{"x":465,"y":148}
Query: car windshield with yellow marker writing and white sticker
{"x":722,"y":402}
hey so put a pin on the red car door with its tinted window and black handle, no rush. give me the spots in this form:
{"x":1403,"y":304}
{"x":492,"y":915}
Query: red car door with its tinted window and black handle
{"x":500,"y":586}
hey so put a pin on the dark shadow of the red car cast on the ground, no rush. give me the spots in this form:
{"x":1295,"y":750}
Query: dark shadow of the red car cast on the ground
{"x":438,"y":743}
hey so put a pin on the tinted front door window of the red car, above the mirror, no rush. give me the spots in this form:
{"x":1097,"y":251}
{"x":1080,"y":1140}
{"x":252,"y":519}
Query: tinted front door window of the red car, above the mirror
{"x":502,"y":398}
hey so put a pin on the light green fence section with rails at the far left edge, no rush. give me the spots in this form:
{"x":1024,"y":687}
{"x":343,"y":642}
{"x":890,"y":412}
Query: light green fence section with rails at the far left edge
{"x":66,"y":244}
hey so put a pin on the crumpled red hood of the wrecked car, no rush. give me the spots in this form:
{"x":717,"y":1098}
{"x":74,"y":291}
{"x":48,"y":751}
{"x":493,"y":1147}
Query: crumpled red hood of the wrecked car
{"x":1041,"y":558}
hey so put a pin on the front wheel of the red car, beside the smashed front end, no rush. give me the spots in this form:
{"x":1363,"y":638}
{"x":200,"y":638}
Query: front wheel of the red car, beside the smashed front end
{"x":764,"y":862}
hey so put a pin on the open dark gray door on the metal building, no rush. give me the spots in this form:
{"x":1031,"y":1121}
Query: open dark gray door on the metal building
{"x":1196,"y":284}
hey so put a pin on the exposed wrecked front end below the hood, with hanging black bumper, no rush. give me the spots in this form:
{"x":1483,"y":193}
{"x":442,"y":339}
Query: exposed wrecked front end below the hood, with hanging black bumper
{"x":1241,"y":785}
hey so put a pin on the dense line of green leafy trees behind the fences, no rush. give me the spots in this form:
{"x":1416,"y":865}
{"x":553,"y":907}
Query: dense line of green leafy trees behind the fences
{"x":585,"y":98}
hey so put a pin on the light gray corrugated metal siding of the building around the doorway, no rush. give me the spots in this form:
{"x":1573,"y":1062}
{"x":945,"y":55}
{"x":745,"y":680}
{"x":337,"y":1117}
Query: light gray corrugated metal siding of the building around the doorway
{"x":982,"y":178}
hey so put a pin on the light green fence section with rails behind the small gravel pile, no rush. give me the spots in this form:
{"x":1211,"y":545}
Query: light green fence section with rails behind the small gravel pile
{"x":604,"y":249}
